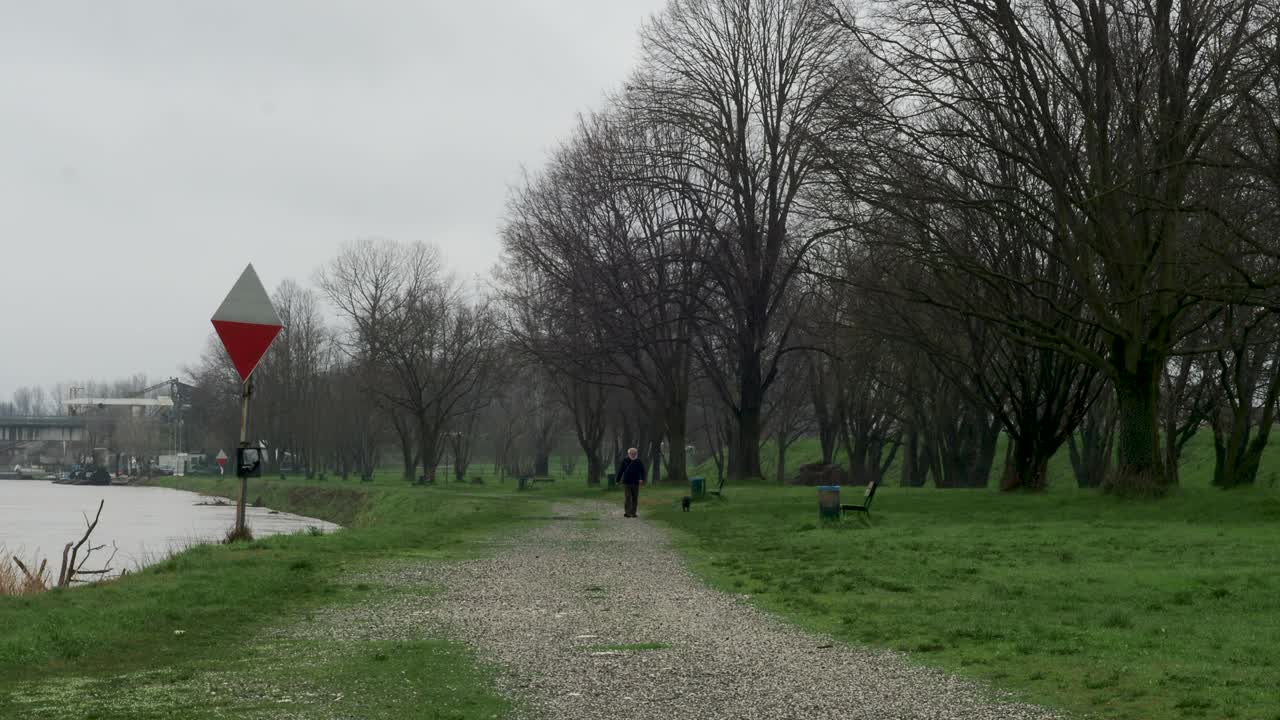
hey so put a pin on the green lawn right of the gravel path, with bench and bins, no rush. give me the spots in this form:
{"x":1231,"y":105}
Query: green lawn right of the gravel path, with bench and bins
{"x":1105,"y":608}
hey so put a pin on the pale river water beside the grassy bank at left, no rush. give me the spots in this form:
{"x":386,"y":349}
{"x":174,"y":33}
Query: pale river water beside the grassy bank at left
{"x":147,"y":525}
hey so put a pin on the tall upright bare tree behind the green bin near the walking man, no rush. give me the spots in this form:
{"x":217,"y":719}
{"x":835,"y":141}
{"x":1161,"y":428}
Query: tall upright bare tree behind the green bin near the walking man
{"x":747,"y":83}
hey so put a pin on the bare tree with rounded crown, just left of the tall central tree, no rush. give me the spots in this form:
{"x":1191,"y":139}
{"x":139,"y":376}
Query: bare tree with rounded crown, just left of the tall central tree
{"x":606,"y":272}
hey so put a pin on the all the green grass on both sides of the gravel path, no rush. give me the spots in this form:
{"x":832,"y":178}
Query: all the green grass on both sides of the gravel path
{"x":1072,"y":599}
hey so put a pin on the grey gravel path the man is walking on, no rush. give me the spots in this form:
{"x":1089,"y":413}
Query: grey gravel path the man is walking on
{"x":552,"y":607}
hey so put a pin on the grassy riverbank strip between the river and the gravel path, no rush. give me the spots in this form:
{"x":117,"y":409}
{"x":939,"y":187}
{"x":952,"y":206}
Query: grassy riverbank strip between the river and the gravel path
{"x":198,"y":636}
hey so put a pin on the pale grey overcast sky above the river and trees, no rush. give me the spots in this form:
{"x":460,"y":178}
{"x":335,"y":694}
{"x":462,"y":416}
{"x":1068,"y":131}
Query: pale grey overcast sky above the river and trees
{"x":150,"y":149}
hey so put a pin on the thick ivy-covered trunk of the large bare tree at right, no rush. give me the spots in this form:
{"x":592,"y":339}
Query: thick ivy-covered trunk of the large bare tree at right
{"x":1140,"y":471}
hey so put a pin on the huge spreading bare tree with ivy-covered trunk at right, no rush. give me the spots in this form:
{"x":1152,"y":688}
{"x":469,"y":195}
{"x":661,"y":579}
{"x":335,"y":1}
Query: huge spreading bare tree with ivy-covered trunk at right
{"x":1114,"y":113}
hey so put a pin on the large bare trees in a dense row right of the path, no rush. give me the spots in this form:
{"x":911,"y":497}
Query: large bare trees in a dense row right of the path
{"x":915,"y":227}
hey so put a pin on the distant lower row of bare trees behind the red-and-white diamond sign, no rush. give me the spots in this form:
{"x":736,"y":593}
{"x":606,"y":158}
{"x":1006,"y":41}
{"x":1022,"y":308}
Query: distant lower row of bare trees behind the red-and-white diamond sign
{"x":415,"y":362}
